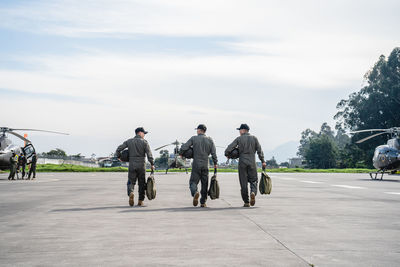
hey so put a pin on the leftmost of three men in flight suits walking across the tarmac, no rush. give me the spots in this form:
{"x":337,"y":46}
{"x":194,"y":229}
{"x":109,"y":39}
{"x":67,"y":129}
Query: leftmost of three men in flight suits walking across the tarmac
{"x":138,"y":148}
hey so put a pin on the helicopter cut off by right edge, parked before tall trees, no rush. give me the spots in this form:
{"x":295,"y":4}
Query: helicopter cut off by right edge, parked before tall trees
{"x":386,"y":157}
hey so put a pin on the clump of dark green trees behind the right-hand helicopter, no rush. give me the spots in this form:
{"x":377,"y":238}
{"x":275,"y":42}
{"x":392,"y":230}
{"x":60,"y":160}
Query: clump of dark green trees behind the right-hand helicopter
{"x":375,"y":106}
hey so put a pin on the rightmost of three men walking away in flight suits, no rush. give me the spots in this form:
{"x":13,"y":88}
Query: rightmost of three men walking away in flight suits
{"x":247,"y":145}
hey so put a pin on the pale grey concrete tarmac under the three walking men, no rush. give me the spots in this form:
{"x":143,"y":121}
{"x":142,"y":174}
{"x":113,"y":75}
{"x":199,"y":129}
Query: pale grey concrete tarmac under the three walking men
{"x":83,"y":219}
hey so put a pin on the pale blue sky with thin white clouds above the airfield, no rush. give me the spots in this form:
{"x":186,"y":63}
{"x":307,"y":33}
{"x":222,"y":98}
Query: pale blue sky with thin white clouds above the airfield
{"x":99,"y":69}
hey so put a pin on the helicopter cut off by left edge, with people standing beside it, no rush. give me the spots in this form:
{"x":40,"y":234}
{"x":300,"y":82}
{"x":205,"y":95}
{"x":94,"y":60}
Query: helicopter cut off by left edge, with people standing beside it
{"x":7,"y":147}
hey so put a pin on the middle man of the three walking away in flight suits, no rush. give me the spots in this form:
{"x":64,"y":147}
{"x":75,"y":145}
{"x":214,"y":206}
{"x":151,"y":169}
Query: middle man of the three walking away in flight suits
{"x":202,"y":146}
